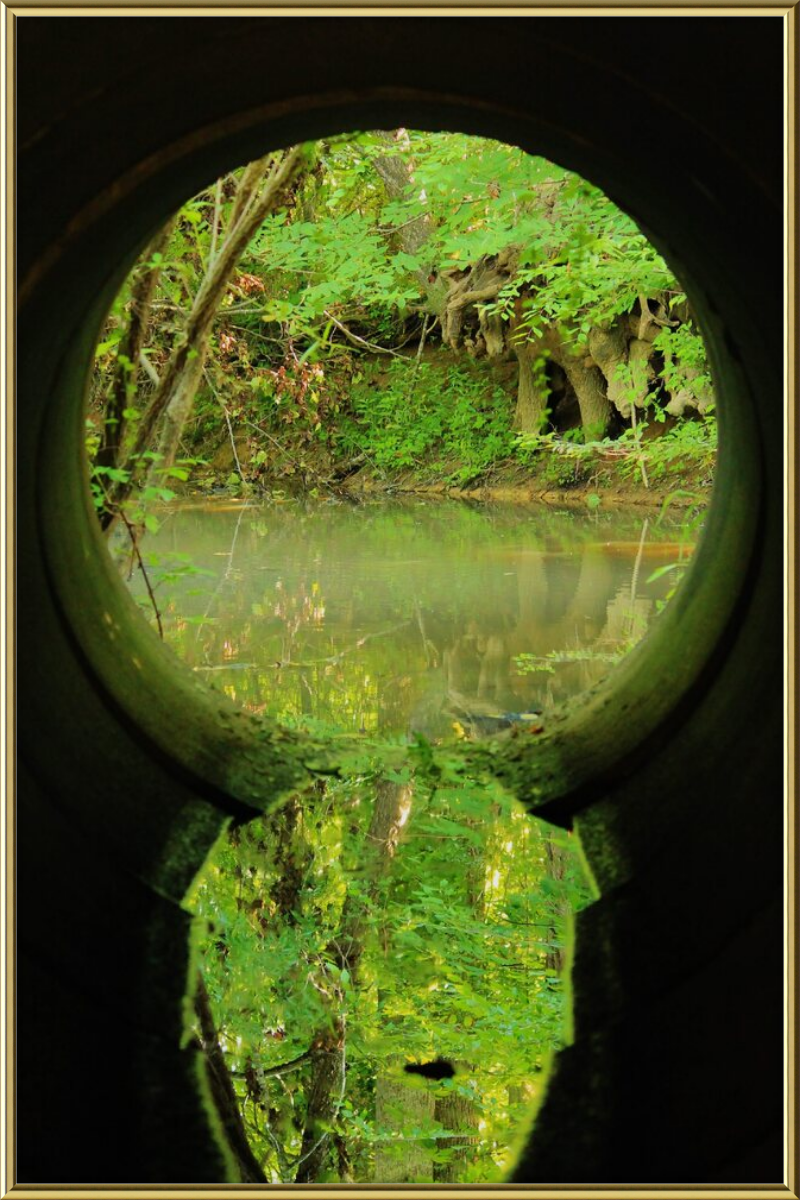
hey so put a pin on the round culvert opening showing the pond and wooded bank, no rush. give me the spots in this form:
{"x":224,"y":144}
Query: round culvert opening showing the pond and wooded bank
{"x":485,"y":388}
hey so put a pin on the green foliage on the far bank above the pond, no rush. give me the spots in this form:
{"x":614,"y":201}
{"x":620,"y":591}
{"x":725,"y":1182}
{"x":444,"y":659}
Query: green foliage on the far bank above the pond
{"x":333,"y":277}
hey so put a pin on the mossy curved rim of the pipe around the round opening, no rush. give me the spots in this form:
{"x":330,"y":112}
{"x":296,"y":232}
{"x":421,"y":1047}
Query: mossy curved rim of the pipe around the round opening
{"x":199,"y":730}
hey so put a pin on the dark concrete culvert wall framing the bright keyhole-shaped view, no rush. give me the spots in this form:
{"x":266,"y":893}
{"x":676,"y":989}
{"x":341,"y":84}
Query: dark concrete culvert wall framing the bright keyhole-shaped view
{"x":129,"y":770}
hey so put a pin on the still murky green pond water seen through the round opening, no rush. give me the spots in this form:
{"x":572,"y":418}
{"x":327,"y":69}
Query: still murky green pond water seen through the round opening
{"x":400,"y":617}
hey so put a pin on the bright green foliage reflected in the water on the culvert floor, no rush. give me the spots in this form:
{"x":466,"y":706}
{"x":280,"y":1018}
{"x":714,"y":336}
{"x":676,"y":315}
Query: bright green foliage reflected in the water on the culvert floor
{"x":458,"y":932}
